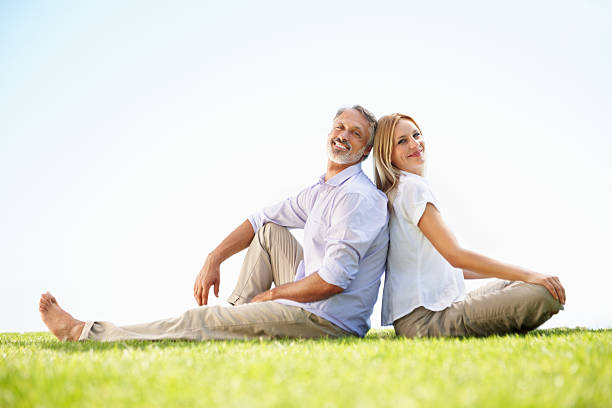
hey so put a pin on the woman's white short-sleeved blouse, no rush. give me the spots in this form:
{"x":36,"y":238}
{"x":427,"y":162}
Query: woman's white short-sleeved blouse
{"x":417,"y":275}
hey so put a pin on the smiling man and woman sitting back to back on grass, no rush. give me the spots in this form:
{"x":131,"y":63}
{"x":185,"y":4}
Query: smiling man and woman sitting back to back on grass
{"x":352,"y":229}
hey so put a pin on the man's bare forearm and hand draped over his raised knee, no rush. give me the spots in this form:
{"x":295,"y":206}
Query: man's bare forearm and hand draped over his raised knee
{"x":209,"y":275}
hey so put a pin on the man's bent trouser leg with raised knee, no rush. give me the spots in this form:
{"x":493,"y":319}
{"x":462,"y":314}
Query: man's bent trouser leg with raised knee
{"x":272,"y":257}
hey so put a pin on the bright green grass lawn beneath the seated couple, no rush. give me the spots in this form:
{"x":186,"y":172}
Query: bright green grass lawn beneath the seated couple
{"x":548,"y":368}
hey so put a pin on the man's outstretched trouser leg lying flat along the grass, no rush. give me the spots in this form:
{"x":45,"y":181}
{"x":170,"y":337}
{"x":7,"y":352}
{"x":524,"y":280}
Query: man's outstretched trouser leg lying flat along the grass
{"x":254,"y":320}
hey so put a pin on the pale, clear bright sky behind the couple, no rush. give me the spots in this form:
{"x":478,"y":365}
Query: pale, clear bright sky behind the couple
{"x":134,"y":137}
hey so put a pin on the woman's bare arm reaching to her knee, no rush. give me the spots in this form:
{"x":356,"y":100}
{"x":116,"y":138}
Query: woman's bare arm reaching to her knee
{"x":441,"y":237}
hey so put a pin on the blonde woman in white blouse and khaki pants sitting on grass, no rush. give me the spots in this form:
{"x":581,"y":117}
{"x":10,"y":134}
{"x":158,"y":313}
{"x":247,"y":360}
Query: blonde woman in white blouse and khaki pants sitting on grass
{"x":424,"y":292}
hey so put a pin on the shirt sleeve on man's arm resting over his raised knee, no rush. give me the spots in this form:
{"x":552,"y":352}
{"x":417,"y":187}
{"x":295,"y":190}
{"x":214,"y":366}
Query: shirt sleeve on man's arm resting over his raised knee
{"x":291,"y":212}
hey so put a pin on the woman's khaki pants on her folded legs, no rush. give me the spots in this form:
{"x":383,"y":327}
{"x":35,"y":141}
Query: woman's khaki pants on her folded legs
{"x":500,"y":307}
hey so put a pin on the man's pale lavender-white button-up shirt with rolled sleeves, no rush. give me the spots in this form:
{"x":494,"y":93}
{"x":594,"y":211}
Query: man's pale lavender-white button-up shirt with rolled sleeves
{"x":345,"y":241}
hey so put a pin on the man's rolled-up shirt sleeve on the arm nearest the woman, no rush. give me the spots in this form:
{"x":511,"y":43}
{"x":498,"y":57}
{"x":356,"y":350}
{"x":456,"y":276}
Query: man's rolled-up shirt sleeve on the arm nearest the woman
{"x":356,"y":222}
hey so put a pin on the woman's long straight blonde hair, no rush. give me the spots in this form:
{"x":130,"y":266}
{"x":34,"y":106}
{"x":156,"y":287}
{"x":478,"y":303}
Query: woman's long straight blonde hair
{"x":385,"y":173}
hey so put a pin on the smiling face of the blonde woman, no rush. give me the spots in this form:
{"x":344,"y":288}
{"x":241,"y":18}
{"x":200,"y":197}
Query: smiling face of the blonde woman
{"x":408,"y":148}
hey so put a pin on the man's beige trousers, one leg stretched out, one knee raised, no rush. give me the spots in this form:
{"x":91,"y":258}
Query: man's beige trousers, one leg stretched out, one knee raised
{"x":272,"y":257}
